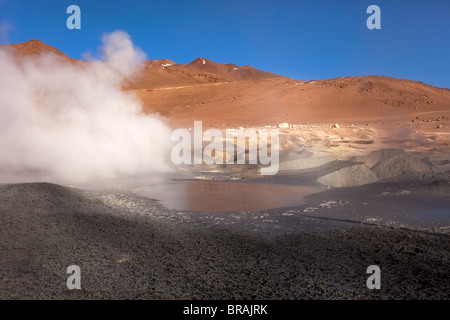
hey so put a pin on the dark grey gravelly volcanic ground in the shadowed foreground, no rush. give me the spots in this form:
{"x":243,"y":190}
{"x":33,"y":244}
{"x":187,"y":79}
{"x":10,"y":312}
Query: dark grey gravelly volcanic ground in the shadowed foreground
{"x":125,"y":253}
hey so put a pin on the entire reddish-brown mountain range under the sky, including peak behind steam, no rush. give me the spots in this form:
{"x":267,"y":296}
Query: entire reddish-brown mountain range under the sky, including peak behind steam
{"x":226,"y":94}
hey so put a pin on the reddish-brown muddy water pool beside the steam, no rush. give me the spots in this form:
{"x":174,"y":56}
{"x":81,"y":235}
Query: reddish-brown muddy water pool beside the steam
{"x":225,"y":196}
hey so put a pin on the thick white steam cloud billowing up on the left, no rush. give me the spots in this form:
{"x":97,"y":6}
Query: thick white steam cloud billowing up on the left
{"x":73,"y":121}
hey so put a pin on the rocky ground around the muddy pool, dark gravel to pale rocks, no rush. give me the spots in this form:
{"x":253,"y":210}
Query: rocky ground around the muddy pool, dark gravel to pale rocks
{"x":384,"y":203}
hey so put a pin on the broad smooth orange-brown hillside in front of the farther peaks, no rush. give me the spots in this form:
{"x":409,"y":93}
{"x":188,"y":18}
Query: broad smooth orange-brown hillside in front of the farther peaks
{"x":271,"y":101}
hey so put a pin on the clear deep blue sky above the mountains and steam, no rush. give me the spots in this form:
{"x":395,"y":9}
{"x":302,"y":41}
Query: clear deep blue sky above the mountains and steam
{"x":313,"y":39}
